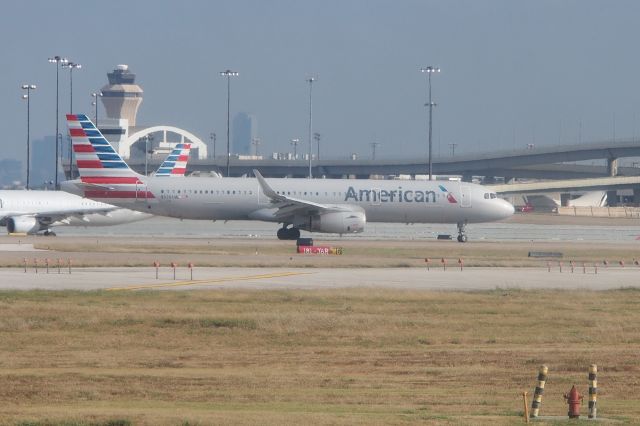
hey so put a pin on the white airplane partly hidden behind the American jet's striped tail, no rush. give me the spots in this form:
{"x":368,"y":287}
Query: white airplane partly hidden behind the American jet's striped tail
{"x":33,"y":211}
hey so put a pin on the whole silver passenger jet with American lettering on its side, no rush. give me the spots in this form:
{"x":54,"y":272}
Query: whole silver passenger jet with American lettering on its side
{"x":339,"y":206}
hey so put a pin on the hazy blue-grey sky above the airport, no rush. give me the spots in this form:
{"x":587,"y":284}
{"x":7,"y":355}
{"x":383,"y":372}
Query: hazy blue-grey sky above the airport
{"x":513,"y":72}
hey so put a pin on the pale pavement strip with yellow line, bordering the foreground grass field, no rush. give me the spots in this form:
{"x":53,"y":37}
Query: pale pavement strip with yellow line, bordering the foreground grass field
{"x":135,"y":279}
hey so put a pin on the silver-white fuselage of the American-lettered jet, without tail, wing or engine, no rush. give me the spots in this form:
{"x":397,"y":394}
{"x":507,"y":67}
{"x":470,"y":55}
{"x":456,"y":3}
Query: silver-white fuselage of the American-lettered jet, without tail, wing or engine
{"x":382,"y":200}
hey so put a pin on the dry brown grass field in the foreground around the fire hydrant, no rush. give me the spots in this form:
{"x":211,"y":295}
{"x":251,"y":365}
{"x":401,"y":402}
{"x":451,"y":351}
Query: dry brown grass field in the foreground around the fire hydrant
{"x":311,"y":357}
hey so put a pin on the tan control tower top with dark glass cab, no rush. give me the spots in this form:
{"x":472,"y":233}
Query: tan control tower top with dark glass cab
{"x":122,"y":97}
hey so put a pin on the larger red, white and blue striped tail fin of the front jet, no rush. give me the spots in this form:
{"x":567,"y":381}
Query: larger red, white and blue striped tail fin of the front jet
{"x":100,"y":167}
